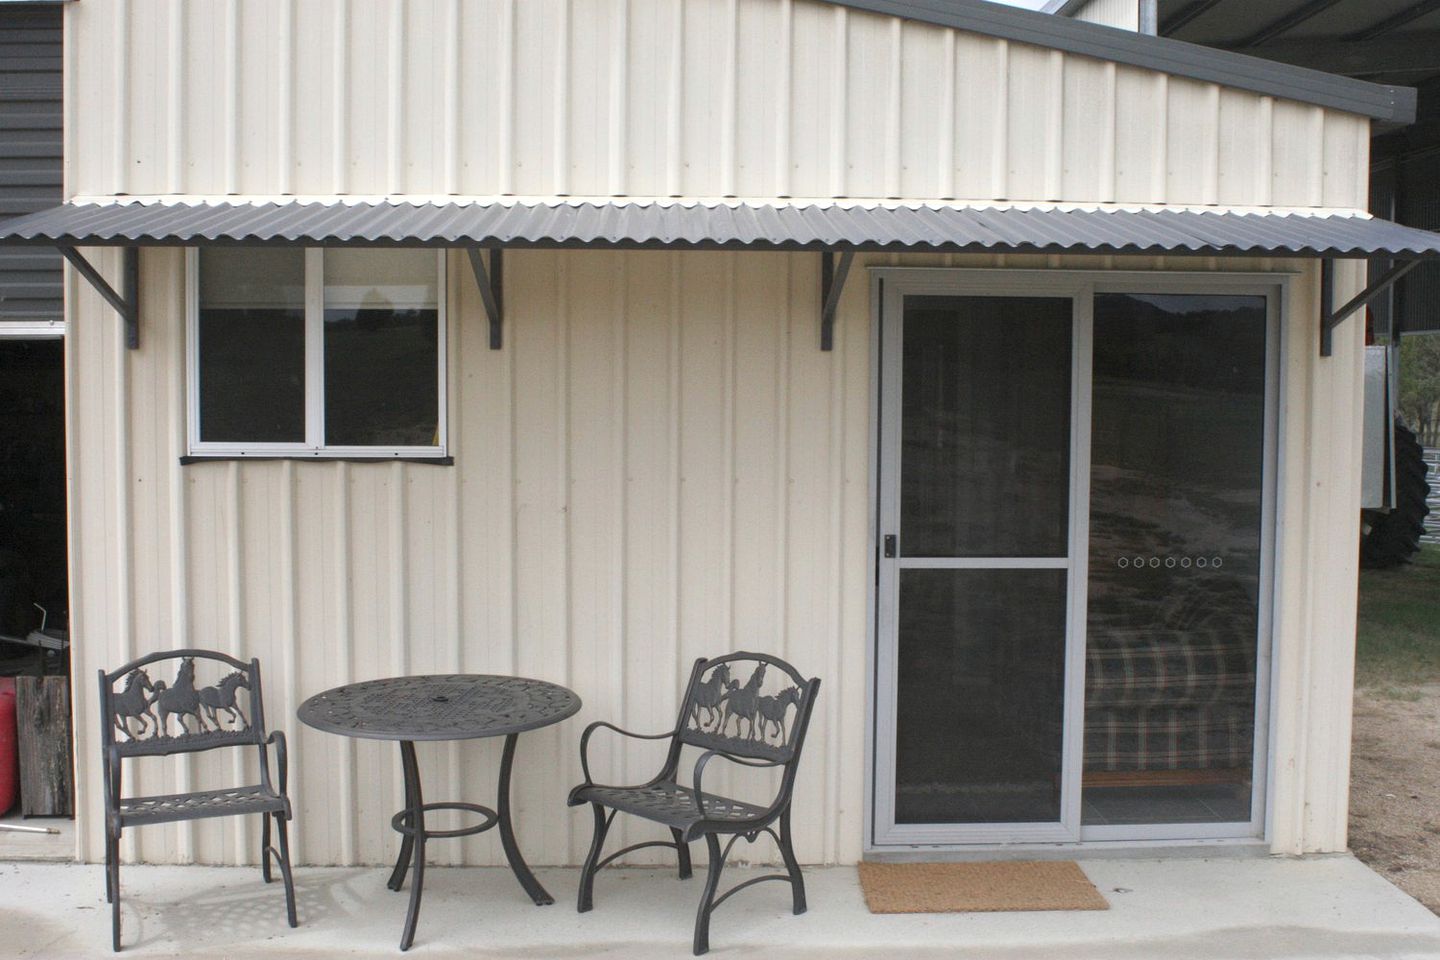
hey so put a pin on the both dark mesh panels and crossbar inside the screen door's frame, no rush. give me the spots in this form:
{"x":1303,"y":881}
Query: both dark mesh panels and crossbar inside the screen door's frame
{"x":984,"y":489}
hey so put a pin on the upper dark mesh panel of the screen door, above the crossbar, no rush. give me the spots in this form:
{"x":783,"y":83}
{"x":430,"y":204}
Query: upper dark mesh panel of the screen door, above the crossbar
{"x":986,"y":431}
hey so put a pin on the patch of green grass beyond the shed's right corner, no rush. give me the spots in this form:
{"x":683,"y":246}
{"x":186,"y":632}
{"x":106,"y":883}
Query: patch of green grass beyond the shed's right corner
{"x":1398,"y":644}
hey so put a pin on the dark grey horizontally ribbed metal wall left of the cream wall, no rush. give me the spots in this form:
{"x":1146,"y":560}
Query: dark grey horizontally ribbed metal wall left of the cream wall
{"x":31,"y":155}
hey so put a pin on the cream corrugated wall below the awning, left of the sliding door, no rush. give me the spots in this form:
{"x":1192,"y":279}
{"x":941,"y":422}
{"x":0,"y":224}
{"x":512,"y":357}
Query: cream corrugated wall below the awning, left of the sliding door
{"x":660,"y":466}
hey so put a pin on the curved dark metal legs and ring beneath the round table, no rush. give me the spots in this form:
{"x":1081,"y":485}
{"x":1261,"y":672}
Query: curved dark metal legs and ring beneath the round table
{"x":411,"y":825}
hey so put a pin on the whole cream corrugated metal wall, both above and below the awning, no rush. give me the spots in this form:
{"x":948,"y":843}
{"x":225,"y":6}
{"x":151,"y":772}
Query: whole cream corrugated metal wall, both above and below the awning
{"x":660,"y":464}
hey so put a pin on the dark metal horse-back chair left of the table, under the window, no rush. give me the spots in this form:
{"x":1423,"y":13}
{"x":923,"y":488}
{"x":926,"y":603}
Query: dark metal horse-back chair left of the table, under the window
{"x":155,"y":719}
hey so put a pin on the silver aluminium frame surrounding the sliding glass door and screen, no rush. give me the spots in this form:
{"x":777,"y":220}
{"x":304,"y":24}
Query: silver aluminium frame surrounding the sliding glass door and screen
{"x":1275,"y":286}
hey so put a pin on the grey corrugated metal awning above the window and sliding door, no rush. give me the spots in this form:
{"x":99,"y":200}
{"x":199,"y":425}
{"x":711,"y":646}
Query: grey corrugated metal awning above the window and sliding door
{"x":722,"y":225}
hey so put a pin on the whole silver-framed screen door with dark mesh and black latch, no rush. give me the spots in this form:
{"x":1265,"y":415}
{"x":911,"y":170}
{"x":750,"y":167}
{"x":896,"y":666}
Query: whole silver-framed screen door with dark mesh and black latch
{"x":977,"y":657}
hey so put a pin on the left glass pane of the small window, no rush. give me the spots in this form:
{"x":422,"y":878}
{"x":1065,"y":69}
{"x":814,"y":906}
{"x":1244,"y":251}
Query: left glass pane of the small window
{"x":253,"y":346}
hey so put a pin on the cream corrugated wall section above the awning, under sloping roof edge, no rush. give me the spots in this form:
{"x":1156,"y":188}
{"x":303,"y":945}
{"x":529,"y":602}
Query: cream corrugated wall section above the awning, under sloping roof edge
{"x":652,"y":99}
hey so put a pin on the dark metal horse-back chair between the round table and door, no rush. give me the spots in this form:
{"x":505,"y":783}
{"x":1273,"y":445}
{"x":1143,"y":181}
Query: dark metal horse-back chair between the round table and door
{"x":765,"y":735}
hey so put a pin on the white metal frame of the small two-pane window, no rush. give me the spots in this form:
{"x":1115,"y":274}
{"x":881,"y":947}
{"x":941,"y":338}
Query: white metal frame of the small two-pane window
{"x":315,"y":319}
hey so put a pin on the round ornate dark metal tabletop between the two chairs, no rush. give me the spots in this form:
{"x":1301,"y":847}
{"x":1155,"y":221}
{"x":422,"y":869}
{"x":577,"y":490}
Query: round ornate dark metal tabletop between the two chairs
{"x":440,"y":707}
